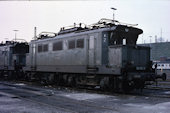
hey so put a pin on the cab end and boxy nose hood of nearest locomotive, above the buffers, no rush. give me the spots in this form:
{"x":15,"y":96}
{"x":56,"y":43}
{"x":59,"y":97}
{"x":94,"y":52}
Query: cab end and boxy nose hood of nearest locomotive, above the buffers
{"x":133,"y":57}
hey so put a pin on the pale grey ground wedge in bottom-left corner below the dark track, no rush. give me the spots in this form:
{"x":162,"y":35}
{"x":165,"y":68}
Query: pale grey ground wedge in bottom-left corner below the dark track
{"x":16,"y":105}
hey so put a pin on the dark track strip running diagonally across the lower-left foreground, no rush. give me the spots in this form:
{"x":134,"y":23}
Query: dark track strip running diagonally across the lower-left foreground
{"x":48,"y":99}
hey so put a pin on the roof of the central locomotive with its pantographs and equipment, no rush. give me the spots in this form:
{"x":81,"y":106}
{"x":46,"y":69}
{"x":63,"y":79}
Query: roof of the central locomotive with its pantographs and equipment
{"x":102,"y":25}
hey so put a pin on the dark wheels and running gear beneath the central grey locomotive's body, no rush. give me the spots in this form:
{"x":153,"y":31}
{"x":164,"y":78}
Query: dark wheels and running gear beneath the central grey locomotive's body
{"x":104,"y":82}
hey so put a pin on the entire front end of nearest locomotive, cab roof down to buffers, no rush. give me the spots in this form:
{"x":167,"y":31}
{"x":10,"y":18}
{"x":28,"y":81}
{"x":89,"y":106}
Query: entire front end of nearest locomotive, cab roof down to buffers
{"x":133,"y":61}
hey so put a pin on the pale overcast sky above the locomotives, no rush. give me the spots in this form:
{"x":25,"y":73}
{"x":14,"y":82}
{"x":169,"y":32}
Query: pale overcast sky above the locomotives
{"x":150,"y":15}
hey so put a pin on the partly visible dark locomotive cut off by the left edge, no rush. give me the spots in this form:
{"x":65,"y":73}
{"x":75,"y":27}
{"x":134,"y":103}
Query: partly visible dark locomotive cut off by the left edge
{"x":12,"y":59}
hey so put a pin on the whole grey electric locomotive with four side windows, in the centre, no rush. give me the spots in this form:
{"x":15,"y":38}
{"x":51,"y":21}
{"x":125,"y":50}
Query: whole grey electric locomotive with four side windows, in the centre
{"x":103,"y":54}
